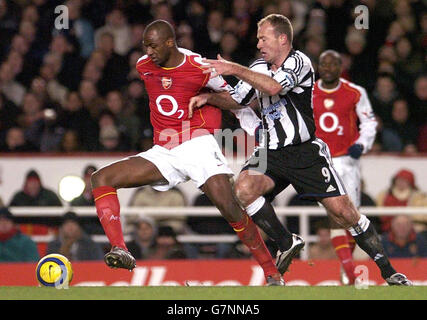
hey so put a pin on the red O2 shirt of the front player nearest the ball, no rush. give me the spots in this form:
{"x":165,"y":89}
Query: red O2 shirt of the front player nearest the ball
{"x":170,"y":90}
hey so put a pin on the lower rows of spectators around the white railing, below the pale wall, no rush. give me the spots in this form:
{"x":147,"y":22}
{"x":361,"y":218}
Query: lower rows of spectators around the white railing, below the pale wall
{"x":158,"y":237}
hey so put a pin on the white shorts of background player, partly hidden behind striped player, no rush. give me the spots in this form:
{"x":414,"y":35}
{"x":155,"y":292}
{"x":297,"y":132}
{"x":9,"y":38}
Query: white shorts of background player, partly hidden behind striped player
{"x":348,"y":169}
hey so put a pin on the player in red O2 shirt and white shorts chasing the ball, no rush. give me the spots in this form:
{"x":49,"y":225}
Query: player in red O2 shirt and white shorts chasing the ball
{"x":184,"y":149}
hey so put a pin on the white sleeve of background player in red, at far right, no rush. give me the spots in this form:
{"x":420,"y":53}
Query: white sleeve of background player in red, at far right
{"x":368,"y":124}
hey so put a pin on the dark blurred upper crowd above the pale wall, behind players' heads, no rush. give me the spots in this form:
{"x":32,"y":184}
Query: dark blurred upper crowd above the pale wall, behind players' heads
{"x":77,"y":89}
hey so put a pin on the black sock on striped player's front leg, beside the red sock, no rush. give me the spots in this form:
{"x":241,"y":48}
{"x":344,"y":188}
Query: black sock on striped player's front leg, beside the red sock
{"x":267,"y":220}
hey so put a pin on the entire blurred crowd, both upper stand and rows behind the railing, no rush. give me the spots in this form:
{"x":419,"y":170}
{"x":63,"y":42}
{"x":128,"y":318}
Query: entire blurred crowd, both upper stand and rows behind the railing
{"x":77,"y":90}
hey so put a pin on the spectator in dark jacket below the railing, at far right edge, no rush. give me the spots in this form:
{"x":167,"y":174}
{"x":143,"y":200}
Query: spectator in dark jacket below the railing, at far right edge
{"x":402,"y":241}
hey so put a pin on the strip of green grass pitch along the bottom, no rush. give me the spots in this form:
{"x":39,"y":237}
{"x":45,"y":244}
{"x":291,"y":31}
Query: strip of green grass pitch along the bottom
{"x":215,"y":293}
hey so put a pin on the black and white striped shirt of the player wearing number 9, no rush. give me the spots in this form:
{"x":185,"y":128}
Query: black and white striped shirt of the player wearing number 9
{"x":287,"y":117}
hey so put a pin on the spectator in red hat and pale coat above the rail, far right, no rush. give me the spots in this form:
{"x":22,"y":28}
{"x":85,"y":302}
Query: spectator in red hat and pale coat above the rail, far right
{"x":401,"y":193}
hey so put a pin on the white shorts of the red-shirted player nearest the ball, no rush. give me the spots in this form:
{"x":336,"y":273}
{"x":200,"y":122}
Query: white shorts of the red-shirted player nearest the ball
{"x":197,"y":159}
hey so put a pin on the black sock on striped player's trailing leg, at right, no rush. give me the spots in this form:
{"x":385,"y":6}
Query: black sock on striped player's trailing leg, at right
{"x":370,"y":242}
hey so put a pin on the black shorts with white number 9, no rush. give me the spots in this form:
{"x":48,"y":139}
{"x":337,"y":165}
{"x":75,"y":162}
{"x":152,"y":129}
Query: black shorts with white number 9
{"x":307,"y":167}
